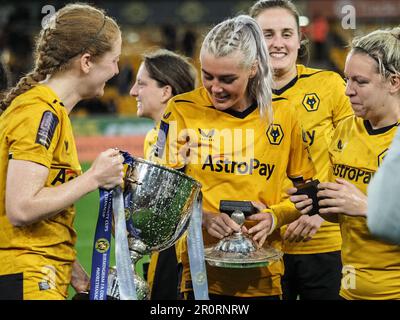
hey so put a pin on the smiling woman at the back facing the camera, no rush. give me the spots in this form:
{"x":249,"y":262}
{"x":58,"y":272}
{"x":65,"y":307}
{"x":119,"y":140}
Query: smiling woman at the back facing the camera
{"x":311,"y":246}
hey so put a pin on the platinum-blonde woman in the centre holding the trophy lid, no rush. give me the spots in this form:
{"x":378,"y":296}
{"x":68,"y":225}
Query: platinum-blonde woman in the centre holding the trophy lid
{"x":227,"y":135}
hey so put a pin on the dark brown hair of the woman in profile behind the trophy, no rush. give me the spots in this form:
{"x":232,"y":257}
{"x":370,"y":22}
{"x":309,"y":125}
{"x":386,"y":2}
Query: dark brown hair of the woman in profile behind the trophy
{"x":169,"y":68}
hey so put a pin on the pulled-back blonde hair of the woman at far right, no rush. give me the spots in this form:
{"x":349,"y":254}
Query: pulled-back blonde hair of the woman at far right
{"x":384,"y":47}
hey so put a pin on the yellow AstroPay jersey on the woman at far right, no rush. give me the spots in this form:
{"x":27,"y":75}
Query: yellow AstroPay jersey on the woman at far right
{"x":371,"y":267}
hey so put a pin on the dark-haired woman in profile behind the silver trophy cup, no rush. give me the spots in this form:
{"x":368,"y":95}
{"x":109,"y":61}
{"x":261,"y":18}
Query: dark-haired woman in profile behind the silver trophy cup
{"x":162,"y":75}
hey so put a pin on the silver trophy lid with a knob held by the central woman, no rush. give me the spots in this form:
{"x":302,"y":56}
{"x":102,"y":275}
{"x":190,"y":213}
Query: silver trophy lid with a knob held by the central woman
{"x":240,"y":251}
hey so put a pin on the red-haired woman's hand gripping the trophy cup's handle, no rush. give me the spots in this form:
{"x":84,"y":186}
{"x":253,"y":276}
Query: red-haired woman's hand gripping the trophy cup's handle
{"x":108,"y":169}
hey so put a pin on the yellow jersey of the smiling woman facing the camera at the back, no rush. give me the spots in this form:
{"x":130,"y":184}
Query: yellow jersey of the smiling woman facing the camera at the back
{"x":319,"y":100}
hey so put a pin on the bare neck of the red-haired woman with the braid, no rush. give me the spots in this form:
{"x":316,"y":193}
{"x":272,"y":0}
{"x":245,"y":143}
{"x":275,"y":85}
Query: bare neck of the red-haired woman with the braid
{"x":66,"y":89}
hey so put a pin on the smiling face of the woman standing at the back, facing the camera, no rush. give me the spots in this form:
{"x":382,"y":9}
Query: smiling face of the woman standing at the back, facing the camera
{"x":282,"y":37}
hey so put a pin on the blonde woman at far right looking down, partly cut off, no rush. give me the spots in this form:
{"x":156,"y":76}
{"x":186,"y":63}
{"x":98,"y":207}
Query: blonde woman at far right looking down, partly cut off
{"x":371,"y":267}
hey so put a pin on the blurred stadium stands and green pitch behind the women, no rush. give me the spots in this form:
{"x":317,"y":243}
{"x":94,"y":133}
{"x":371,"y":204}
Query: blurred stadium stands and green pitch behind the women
{"x":177,"y":25}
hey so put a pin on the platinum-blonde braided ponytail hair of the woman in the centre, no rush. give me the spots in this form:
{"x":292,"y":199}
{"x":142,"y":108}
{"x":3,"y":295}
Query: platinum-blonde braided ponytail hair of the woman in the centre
{"x":243,"y":34}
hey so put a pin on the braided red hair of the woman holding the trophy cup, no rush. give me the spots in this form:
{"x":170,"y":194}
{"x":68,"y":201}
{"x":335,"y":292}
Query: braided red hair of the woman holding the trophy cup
{"x":73,"y":30}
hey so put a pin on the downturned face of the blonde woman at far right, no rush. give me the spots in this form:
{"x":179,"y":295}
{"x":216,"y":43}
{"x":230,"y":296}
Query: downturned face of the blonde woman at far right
{"x":365,"y":87}
